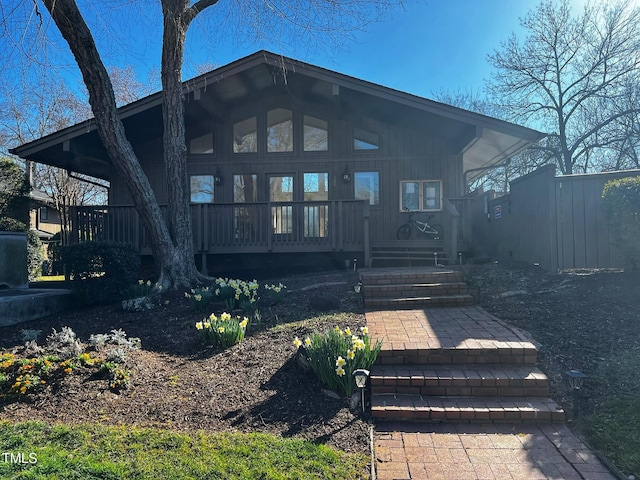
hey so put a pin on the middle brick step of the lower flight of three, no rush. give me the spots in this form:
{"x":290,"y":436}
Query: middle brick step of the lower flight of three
{"x":460,"y":380}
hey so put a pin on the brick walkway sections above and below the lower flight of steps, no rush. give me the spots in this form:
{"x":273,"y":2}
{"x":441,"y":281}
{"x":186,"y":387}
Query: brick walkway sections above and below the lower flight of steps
{"x":459,"y":451}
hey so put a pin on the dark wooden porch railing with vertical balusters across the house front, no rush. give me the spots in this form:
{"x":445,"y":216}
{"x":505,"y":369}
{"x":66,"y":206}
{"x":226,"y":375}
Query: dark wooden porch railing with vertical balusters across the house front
{"x":239,"y":227}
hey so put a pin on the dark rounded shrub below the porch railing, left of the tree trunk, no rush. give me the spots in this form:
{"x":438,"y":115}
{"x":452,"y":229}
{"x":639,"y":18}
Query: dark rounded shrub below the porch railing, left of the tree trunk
{"x":101,"y":271}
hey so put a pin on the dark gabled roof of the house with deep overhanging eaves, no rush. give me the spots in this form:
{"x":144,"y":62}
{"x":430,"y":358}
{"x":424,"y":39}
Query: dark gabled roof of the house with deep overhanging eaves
{"x":482,"y":140}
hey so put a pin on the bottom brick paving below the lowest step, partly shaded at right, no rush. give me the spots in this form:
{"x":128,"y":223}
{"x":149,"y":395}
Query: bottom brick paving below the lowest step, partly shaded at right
{"x":492,"y":452}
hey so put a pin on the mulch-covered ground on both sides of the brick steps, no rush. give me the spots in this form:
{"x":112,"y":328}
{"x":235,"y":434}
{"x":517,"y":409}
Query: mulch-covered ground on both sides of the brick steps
{"x":578,"y":319}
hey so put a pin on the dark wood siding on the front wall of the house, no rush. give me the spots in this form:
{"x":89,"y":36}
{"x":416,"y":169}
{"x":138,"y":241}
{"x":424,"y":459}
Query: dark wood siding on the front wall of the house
{"x":406,"y":152}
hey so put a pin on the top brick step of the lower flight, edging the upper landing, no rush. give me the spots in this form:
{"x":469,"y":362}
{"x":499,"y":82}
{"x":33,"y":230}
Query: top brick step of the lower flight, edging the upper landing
{"x":467,"y":352}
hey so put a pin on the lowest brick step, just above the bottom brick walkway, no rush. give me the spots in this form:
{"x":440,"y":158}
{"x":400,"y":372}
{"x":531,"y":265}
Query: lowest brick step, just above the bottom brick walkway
{"x":418,"y":408}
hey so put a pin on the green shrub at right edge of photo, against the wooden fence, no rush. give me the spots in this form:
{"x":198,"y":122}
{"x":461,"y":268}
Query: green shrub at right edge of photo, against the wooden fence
{"x":621,"y":200}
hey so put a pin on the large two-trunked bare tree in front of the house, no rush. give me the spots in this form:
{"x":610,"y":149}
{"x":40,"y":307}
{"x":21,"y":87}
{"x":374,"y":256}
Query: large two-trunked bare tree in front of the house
{"x":171,"y":240}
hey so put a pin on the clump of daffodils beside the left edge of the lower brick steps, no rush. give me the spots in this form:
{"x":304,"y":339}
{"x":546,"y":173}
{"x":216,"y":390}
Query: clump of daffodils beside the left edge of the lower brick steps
{"x":334,"y":355}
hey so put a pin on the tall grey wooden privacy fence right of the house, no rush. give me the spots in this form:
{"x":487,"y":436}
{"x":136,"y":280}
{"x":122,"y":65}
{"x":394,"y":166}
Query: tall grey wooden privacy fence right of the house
{"x":556,"y":222}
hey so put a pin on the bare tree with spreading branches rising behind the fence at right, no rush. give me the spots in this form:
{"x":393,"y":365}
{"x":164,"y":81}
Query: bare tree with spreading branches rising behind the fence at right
{"x":568,"y":77}
